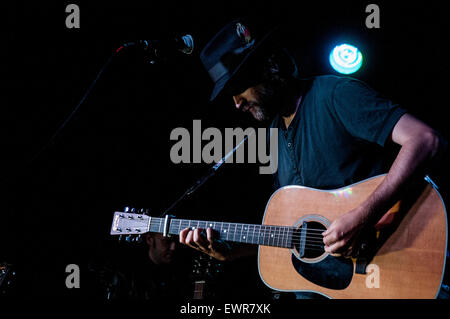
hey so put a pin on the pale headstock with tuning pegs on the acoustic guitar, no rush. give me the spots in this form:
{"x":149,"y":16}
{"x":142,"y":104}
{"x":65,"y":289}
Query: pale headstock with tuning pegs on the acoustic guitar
{"x":130,"y":224}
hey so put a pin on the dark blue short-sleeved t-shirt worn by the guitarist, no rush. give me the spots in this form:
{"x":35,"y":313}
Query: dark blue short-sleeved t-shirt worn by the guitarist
{"x":337,"y":135}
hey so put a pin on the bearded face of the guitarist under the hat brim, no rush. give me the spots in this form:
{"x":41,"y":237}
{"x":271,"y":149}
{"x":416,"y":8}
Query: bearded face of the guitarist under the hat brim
{"x":260,"y":100}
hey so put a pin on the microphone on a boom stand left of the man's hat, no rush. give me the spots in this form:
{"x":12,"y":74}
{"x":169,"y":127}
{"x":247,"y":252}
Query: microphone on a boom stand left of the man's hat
{"x":183,"y":44}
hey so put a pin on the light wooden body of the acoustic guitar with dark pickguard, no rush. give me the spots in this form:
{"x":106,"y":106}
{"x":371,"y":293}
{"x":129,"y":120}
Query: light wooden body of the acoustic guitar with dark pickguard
{"x":408,"y":262}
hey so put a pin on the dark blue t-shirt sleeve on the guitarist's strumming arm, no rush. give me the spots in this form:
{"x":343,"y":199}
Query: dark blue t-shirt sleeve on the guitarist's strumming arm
{"x":363,"y":112}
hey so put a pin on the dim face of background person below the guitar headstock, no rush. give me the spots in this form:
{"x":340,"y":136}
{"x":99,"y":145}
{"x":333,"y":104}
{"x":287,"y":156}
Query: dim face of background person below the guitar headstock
{"x":161,"y":249}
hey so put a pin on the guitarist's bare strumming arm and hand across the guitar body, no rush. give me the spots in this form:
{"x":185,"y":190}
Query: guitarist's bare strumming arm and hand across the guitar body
{"x":419,"y":146}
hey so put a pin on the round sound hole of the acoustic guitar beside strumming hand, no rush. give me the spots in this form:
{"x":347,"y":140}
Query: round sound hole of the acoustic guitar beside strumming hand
{"x":311,"y":246}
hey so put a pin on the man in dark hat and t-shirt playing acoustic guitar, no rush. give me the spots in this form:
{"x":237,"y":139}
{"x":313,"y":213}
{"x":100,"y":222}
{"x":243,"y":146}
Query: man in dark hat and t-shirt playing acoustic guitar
{"x":331,"y":132}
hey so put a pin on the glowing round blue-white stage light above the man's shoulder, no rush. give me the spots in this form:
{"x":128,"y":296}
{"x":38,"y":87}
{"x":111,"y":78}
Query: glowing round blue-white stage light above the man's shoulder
{"x":346,"y":59}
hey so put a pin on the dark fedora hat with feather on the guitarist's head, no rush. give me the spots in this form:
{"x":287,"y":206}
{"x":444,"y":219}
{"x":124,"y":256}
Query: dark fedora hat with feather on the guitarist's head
{"x":230,"y":48}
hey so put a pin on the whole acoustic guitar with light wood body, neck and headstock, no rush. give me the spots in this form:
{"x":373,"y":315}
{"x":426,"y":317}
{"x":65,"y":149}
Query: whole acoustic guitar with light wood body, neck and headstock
{"x":403,"y":256}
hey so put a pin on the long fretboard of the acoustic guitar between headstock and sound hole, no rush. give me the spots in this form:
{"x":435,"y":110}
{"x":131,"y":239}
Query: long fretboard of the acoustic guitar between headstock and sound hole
{"x":267,"y":235}
